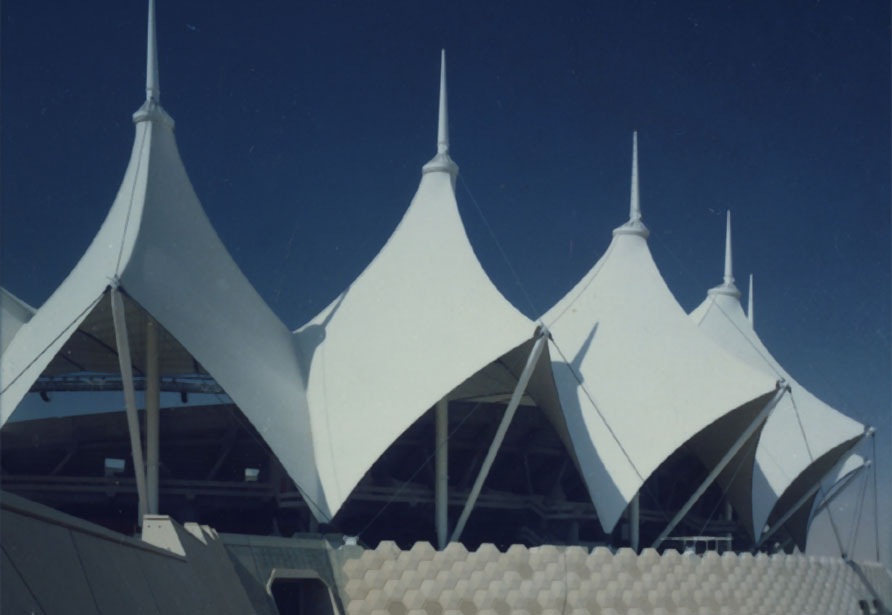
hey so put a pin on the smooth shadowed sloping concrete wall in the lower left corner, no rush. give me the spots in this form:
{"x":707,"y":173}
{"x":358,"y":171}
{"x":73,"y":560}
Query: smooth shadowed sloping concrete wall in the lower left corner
{"x":56,"y":564}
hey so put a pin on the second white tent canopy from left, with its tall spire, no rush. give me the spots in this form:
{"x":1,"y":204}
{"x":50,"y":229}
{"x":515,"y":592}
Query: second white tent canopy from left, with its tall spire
{"x":421,"y":319}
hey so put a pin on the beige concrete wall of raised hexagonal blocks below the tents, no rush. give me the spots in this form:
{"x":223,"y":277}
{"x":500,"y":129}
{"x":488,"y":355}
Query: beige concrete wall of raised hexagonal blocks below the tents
{"x":550,"y":580}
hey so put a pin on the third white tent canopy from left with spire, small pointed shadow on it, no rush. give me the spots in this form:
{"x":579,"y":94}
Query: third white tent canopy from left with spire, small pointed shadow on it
{"x":636,"y":379}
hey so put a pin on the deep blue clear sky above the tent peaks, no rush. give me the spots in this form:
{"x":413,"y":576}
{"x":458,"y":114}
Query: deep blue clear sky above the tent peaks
{"x":304,"y":127}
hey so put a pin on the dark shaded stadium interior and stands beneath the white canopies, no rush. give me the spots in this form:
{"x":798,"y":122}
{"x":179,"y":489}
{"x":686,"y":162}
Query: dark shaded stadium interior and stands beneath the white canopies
{"x":216,"y":469}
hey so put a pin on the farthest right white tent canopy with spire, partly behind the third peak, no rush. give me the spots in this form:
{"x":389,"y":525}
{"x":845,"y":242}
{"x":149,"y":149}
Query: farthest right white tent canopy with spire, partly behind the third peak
{"x":803,"y":438}
